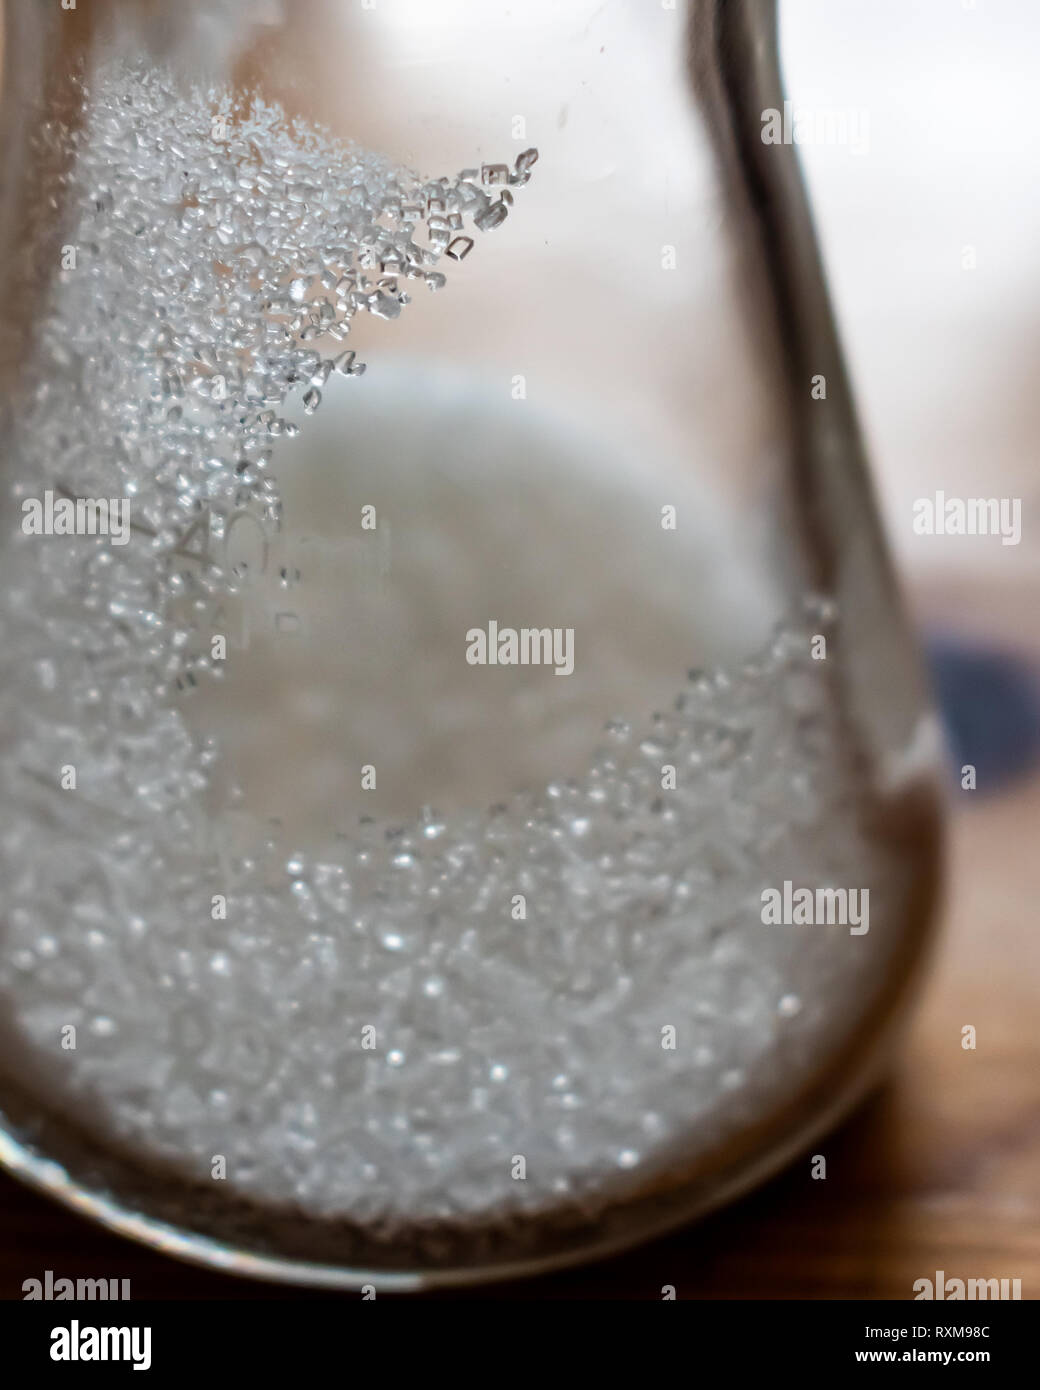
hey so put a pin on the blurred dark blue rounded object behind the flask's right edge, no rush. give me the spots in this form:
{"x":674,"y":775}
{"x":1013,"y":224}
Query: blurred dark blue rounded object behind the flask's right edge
{"x":991,"y":704}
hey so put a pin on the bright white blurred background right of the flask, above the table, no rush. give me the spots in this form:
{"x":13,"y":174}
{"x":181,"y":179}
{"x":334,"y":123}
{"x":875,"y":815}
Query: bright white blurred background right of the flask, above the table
{"x":931,"y":236}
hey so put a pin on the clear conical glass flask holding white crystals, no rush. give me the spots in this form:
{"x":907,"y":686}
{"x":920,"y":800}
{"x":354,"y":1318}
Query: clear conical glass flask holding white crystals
{"x":469,"y":792}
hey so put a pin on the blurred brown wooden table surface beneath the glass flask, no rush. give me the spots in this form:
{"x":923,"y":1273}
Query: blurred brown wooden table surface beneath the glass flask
{"x":941,"y":1171}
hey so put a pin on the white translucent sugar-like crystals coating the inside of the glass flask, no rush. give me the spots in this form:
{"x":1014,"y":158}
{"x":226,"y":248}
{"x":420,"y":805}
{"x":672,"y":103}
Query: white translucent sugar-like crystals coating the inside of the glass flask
{"x":372,"y":1033}
